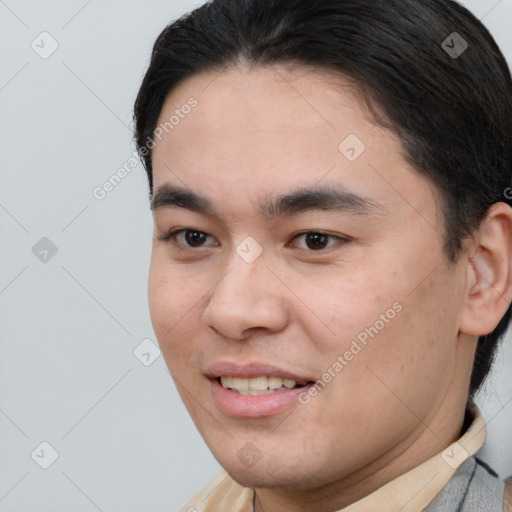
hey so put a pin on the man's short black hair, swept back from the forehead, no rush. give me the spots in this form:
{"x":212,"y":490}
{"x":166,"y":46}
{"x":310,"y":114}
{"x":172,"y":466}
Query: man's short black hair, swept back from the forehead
{"x":450,"y":105}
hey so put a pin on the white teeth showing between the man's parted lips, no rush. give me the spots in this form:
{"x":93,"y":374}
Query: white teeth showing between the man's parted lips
{"x":257,"y":386}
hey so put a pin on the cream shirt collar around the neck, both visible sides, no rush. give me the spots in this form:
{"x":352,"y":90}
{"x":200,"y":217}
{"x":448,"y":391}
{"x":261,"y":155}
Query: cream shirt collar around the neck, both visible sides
{"x":411,"y":492}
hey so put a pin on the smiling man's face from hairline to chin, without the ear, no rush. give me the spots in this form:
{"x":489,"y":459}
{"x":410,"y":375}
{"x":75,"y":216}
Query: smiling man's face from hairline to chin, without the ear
{"x":349,"y":291}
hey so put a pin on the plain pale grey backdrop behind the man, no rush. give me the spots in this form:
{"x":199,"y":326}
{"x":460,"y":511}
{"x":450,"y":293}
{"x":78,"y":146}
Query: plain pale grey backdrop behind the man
{"x":70,"y":325}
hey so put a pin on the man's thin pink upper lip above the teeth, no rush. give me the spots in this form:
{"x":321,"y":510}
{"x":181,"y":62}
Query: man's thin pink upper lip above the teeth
{"x":251,"y":370}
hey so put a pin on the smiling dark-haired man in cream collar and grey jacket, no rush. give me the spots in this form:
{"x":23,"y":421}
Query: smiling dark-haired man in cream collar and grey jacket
{"x":332,"y":262}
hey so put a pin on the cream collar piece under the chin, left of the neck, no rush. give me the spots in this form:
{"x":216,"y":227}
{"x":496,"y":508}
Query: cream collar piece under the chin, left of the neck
{"x":222,"y":493}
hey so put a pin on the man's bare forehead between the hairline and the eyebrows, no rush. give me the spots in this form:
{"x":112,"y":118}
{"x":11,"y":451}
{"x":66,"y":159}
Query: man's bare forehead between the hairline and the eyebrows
{"x":258,"y":130}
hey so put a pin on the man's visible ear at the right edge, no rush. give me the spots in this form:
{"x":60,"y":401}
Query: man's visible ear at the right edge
{"x":489,"y":273}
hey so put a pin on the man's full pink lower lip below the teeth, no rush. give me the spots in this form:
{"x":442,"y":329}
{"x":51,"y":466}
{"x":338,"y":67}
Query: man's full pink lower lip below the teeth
{"x":250,"y":406}
